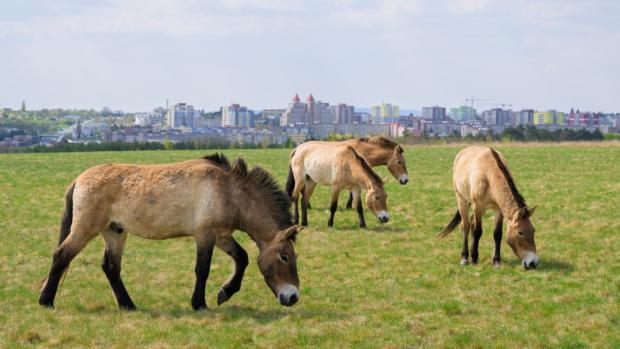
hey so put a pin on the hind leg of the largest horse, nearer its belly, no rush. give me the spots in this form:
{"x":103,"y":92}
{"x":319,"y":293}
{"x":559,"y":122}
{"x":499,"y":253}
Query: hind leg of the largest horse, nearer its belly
{"x":115,"y":244}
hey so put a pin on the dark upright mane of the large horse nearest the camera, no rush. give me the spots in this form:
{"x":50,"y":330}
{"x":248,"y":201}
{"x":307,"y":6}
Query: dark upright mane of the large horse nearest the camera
{"x":268,"y":188}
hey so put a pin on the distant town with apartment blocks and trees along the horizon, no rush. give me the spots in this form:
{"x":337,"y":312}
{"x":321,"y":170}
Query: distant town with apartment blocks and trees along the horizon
{"x":299,"y":121}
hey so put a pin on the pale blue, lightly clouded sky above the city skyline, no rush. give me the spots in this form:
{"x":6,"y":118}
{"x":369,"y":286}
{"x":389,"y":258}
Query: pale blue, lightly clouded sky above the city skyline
{"x":134,"y":55}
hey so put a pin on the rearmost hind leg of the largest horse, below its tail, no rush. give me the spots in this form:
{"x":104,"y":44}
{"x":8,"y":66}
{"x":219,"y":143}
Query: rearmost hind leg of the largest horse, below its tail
{"x":78,"y":238}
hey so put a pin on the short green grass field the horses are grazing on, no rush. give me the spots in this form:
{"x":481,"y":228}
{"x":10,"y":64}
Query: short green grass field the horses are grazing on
{"x":392,"y":285}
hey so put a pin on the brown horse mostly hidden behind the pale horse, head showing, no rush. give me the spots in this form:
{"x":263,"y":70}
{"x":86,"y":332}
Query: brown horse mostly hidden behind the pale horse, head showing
{"x":378,"y":151}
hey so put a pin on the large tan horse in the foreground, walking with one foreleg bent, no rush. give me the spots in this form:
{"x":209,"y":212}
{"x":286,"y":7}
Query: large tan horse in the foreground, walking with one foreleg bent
{"x":204,"y":198}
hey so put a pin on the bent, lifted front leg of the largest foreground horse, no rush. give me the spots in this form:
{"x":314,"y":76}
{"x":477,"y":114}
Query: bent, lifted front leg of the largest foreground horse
{"x":237,"y":253}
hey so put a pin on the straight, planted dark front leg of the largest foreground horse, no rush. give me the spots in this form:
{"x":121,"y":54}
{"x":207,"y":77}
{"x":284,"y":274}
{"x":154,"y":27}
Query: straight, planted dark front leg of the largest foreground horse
{"x":204,"y":251}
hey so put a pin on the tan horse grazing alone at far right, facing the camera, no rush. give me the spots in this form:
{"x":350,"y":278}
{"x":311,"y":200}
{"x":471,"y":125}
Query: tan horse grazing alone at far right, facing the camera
{"x":482,"y":180}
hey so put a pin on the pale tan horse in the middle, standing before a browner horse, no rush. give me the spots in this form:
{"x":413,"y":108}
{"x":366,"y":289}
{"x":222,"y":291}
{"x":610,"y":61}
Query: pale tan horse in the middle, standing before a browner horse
{"x":340,"y":167}
